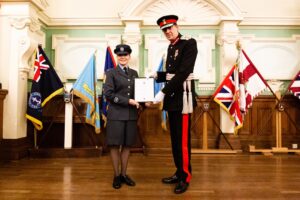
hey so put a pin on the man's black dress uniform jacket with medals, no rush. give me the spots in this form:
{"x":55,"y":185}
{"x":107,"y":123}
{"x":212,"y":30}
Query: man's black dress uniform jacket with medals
{"x":181,"y":59}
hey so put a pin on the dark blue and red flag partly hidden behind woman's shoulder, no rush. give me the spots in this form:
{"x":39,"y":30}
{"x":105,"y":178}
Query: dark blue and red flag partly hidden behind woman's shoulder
{"x":109,"y":64}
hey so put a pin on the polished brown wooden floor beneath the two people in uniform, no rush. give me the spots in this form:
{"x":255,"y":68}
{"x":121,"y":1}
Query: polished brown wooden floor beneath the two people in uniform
{"x":238,"y":176}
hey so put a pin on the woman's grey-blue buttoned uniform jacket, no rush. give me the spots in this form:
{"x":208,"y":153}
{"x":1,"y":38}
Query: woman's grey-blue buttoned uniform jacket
{"x":118,"y":89}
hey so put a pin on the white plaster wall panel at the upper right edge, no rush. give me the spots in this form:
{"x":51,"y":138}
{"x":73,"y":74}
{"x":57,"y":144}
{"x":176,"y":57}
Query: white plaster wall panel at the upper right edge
{"x":275,"y":58}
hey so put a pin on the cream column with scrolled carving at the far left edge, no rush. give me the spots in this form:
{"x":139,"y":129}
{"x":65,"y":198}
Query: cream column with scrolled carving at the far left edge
{"x":20,"y":34}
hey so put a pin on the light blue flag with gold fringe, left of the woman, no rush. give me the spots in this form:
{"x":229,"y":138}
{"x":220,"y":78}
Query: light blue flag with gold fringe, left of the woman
{"x":85,"y":88}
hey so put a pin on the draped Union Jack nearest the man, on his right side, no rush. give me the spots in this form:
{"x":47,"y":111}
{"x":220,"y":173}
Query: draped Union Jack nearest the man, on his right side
{"x":227,"y":96}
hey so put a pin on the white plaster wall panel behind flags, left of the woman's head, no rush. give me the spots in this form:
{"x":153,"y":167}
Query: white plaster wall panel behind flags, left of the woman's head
{"x":72,"y":54}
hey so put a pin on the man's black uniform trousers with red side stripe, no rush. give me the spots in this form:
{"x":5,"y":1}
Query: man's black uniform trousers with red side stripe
{"x":180,"y":125}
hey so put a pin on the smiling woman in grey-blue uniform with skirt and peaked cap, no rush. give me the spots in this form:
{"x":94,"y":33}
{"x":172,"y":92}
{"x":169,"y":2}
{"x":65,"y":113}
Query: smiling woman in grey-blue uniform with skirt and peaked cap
{"x":122,"y":114}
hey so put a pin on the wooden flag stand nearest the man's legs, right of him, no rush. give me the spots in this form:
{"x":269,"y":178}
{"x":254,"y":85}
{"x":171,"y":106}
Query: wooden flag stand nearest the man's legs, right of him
{"x":205,"y":149}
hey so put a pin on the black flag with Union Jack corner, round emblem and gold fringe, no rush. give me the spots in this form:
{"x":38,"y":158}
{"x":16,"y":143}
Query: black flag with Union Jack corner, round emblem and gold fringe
{"x":45,"y":85}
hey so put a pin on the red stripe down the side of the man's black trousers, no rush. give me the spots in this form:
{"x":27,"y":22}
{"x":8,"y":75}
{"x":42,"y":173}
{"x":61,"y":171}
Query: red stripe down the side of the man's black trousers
{"x":185,"y":151}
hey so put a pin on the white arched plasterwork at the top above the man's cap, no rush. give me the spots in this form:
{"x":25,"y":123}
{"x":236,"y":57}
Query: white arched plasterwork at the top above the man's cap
{"x":191,"y":12}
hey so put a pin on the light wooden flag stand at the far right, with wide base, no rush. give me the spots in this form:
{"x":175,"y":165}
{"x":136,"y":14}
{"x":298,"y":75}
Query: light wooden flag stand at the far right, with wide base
{"x":278,"y":148}
